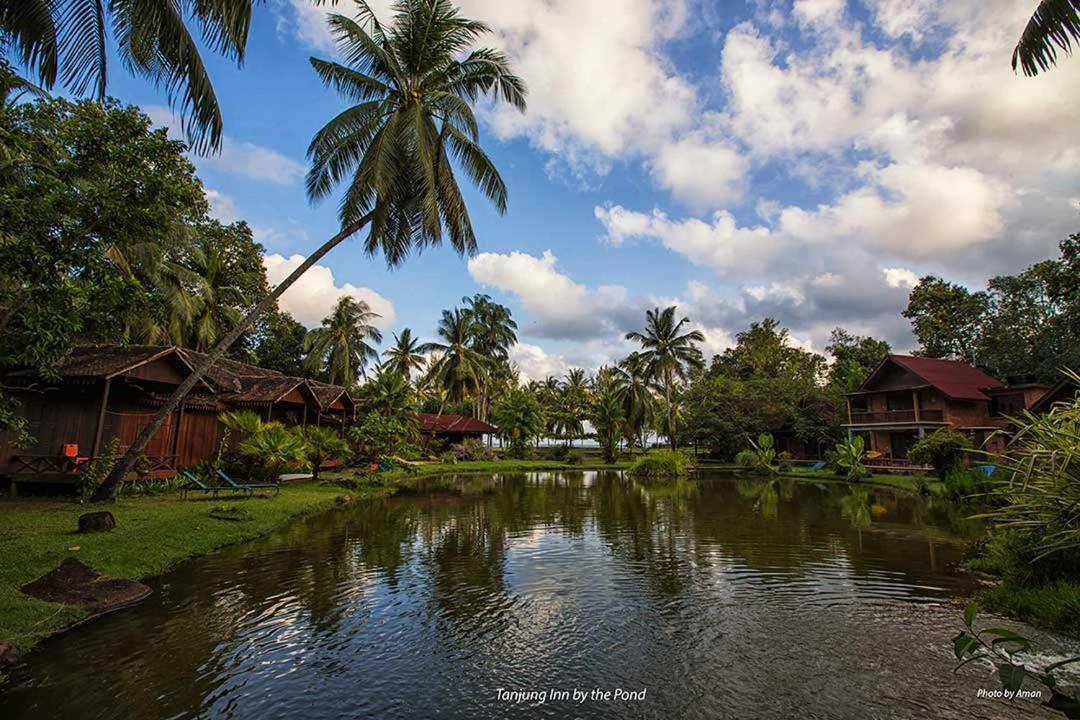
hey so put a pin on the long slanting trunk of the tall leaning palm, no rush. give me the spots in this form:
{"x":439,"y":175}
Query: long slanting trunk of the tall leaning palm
{"x":107,"y":492}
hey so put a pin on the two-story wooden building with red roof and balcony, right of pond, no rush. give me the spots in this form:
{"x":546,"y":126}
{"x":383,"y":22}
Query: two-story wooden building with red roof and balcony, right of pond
{"x":907,"y":398}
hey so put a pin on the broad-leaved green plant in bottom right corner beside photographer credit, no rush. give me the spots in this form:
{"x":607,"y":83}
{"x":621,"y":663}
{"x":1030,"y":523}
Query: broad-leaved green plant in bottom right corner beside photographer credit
{"x":1001,"y":648}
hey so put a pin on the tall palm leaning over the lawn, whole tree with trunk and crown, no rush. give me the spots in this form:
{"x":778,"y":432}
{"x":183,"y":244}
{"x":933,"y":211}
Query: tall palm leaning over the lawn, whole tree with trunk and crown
{"x":413,"y":86}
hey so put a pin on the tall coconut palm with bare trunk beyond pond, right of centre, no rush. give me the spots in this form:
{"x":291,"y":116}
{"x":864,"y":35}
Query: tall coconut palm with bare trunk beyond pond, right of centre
{"x":668,"y":355}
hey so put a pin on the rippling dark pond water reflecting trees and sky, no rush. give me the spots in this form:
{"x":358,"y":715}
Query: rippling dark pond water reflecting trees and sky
{"x":719,"y":599}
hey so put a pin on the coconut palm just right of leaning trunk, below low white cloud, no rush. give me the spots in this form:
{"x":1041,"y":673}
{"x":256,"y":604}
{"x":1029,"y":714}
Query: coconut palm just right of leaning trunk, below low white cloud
{"x":340,"y":349}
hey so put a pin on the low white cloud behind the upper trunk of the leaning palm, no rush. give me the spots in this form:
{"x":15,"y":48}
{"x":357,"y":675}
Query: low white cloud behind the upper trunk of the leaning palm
{"x":314,"y":296}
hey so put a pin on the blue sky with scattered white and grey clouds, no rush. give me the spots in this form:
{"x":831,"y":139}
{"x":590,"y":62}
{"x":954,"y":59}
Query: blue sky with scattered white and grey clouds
{"x":806,"y":160}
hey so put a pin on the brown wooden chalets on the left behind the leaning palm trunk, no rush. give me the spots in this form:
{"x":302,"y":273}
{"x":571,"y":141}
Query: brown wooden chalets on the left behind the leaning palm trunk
{"x":100,"y":393}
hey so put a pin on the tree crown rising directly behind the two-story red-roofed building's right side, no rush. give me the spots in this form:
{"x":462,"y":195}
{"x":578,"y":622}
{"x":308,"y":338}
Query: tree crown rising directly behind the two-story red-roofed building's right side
{"x":947,"y":319}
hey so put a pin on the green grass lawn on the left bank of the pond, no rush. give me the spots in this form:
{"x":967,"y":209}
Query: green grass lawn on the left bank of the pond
{"x":153,"y":535}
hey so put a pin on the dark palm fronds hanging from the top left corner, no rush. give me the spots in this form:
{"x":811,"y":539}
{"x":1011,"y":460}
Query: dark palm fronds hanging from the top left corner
{"x":69,"y":42}
